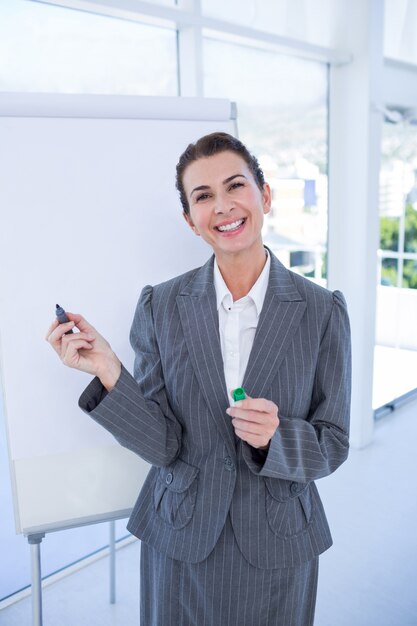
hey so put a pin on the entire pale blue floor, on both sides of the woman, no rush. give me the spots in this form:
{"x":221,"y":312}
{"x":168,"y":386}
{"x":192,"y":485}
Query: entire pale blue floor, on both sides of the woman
{"x":368,"y":578}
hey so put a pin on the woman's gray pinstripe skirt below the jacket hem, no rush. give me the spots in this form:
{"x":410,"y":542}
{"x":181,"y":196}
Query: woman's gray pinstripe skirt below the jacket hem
{"x":224,"y":590}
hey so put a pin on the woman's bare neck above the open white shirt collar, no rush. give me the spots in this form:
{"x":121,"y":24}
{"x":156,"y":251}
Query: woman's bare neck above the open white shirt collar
{"x":241,"y":270}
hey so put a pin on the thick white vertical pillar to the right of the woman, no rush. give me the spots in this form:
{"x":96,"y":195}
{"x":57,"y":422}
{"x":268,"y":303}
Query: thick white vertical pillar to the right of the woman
{"x":354,"y":160}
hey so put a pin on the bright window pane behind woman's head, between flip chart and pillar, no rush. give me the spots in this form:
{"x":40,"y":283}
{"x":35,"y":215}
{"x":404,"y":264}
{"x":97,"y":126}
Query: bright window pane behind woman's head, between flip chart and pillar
{"x":283,"y":120}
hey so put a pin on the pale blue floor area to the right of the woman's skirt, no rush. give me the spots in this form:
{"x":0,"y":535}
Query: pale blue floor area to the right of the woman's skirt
{"x":369,"y":576}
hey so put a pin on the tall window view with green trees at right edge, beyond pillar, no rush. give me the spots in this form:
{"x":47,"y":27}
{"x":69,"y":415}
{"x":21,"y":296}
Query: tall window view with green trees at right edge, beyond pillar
{"x":396,"y":313}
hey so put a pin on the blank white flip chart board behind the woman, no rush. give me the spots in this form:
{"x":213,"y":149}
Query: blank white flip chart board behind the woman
{"x":89,"y":215}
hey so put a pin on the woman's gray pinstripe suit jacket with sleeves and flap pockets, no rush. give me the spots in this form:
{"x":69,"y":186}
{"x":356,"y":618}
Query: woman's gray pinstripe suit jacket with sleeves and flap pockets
{"x":173,"y":414}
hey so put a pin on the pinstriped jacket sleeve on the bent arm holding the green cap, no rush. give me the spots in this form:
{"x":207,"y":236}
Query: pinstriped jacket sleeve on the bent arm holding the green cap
{"x":304,"y":450}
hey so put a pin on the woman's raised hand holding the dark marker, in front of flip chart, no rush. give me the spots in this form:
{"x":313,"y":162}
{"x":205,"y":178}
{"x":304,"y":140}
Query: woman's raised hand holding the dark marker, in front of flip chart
{"x":85,"y":350}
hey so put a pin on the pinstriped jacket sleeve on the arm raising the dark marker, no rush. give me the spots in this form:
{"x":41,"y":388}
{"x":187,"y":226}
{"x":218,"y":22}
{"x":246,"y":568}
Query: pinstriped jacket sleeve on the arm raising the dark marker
{"x":136,"y":411}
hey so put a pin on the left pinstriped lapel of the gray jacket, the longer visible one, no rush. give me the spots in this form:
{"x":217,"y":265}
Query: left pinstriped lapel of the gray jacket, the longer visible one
{"x":200,"y":324}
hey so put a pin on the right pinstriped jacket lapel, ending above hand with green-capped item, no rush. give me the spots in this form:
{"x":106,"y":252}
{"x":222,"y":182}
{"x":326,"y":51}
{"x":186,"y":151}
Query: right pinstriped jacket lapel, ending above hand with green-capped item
{"x":280,"y":317}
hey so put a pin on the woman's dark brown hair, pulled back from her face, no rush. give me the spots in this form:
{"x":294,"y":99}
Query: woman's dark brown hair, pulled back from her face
{"x":210,"y":145}
